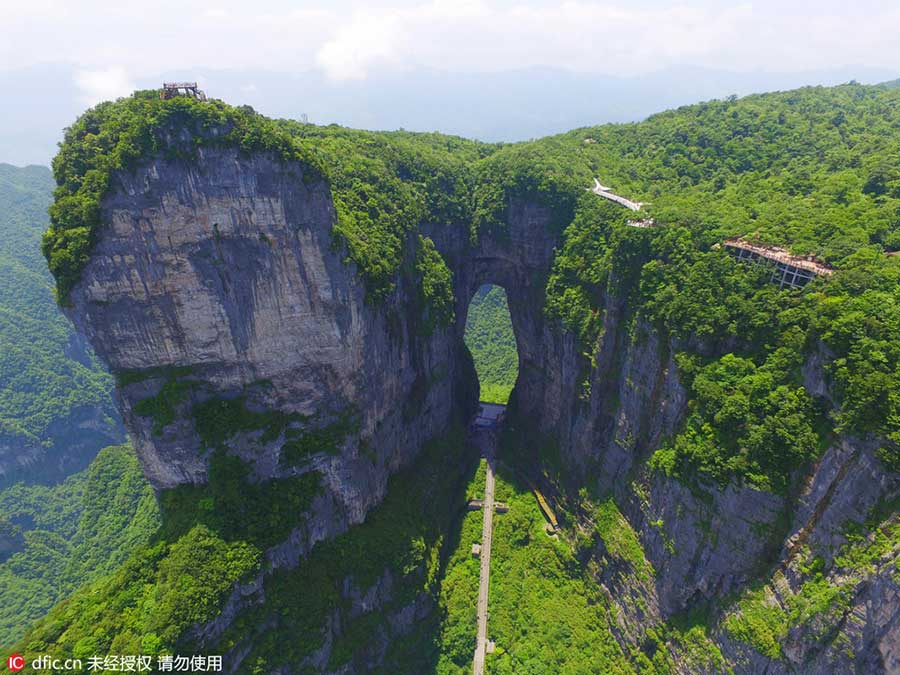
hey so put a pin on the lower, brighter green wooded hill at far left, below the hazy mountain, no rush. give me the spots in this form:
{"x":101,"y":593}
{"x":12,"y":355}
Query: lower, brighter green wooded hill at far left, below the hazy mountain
{"x":74,"y":533}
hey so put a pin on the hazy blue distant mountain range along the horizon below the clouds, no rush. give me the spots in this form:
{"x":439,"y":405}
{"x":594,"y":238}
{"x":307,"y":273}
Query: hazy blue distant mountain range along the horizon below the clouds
{"x":501,"y":106}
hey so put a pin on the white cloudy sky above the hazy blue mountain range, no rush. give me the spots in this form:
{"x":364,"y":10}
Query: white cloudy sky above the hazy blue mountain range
{"x":112,"y":44}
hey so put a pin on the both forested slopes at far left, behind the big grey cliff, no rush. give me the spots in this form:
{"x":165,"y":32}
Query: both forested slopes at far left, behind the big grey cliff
{"x":67,"y":514}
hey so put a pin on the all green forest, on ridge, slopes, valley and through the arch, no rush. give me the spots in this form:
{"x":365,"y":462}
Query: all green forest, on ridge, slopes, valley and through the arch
{"x":815,"y":170}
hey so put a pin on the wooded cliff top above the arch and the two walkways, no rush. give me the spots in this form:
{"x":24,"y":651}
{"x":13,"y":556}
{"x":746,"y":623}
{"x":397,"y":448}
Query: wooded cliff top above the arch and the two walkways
{"x":813,"y":170}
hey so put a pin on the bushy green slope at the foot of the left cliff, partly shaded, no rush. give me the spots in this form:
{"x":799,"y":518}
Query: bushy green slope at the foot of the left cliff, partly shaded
{"x":210,"y":537}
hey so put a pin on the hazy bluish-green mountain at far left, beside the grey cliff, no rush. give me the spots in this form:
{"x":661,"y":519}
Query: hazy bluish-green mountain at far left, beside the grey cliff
{"x":56,"y":407}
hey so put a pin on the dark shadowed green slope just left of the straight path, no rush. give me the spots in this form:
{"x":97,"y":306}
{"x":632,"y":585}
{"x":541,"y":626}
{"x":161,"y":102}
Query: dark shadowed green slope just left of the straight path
{"x":403,"y":538}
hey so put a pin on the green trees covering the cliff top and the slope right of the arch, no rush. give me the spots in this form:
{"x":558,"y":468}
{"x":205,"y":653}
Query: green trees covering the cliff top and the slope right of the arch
{"x":813,"y":169}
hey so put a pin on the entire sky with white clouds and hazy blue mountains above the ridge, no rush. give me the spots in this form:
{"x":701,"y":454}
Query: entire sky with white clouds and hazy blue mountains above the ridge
{"x":489,"y":69}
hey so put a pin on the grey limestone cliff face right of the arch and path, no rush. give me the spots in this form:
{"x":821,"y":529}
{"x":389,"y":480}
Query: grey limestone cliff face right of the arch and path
{"x":706,"y":546}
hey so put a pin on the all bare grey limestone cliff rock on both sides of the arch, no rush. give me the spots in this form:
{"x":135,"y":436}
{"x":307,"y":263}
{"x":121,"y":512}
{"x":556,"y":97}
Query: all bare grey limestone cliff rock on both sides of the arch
{"x":222,"y":273}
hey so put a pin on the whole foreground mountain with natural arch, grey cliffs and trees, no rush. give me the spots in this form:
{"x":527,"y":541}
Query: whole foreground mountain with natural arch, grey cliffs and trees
{"x":715,"y":455}
